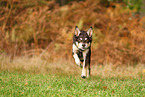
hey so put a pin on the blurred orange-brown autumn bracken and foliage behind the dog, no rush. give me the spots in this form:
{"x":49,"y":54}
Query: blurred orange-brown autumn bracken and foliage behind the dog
{"x":45,"y":28}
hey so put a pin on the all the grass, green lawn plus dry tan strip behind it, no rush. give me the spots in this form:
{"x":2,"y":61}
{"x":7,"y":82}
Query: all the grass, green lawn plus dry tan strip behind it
{"x":35,"y":76}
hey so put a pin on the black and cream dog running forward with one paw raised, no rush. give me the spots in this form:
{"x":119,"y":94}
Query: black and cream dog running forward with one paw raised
{"x":81,"y":50}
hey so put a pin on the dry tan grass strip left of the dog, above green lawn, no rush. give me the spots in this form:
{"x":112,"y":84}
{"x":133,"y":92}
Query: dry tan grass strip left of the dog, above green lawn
{"x":36,"y":64}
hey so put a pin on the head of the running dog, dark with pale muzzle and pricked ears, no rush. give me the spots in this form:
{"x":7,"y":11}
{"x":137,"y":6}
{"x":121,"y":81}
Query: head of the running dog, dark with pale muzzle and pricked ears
{"x":83,"y":38}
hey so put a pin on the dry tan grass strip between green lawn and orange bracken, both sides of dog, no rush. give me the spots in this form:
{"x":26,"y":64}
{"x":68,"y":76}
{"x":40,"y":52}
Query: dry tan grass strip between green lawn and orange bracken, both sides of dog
{"x":36,"y":64}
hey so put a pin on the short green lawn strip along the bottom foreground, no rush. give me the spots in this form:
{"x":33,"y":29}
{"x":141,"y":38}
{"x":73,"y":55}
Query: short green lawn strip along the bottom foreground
{"x":49,"y":85}
